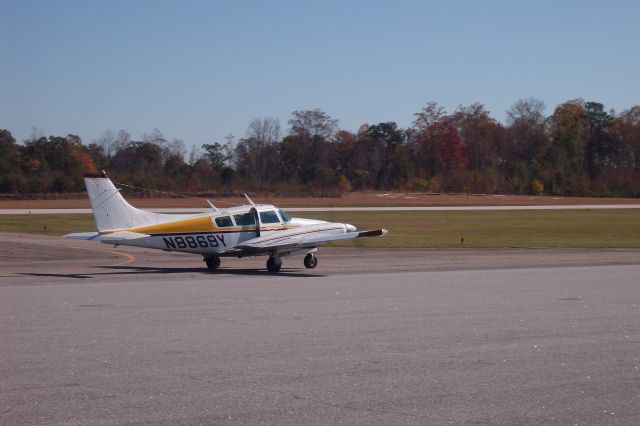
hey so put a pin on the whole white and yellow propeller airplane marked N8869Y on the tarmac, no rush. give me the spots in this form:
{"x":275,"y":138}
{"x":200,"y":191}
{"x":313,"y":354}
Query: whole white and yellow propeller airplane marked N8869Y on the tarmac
{"x":249,"y":230}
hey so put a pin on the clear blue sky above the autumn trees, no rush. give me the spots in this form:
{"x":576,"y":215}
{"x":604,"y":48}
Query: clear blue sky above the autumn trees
{"x":199,"y":70}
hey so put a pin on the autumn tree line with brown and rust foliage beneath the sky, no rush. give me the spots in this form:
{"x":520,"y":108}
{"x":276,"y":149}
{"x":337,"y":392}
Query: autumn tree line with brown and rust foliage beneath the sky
{"x":580,"y":149}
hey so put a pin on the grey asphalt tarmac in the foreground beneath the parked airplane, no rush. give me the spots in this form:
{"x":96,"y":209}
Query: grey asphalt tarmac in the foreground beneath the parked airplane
{"x":91,"y":334}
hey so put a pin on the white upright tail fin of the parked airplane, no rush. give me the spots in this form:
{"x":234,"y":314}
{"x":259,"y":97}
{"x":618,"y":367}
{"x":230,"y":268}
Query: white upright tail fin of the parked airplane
{"x":111,"y":210}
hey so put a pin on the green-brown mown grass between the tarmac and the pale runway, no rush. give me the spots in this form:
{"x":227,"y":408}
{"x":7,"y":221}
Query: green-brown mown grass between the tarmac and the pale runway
{"x":532,"y":228}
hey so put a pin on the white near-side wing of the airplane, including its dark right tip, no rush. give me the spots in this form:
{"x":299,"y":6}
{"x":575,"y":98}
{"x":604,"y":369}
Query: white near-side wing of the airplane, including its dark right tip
{"x":304,"y":237}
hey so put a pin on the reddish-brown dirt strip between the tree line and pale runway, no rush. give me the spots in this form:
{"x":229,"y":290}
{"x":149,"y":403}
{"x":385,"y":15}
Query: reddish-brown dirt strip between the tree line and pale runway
{"x":353,"y":199}
